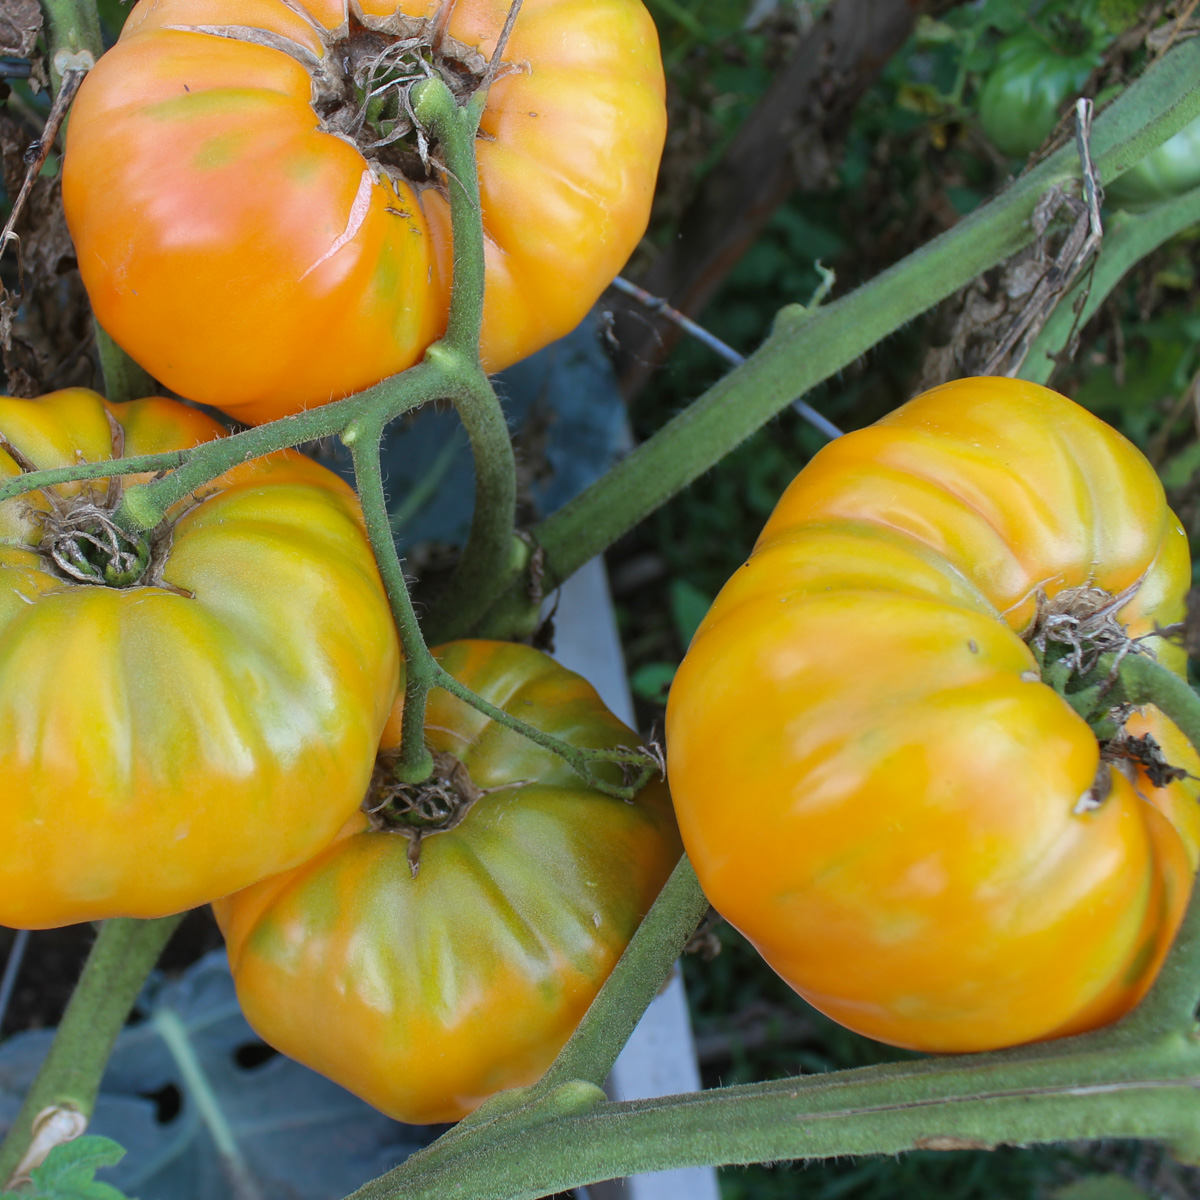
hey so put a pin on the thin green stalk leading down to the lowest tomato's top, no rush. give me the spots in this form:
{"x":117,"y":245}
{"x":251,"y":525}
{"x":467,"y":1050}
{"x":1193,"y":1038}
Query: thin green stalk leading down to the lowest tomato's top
{"x":416,"y":763}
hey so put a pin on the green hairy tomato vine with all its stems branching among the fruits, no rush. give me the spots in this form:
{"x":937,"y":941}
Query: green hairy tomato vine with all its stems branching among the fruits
{"x":562,"y":1132}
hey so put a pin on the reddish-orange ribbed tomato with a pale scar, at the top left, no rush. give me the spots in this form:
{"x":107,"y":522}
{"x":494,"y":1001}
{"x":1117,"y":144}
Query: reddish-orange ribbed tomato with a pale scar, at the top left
{"x":250,"y":235}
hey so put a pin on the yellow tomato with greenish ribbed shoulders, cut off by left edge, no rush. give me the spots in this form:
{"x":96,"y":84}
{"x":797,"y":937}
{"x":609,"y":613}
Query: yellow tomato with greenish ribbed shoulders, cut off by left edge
{"x":185,"y":715}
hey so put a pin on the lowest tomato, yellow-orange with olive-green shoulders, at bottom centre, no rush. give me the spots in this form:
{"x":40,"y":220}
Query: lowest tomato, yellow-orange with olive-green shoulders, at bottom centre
{"x":425,"y":994}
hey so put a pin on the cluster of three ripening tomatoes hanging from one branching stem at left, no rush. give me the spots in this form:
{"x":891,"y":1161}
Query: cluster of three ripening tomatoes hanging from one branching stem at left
{"x":211,"y":712}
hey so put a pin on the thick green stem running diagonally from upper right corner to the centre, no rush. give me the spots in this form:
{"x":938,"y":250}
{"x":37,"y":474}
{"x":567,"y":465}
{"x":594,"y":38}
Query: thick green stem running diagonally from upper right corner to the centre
{"x":809,"y":347}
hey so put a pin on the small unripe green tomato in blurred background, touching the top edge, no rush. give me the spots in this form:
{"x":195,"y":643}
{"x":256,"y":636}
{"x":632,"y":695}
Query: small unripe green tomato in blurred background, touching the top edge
{"x":1037,"y":70}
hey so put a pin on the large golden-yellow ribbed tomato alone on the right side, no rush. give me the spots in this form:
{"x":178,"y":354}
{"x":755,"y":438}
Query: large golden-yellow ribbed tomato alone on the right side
{"x":872,"y":779}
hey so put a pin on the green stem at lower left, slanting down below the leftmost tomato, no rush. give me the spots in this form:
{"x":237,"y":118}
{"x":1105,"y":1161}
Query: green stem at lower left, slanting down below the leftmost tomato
{"x":123,"y":957}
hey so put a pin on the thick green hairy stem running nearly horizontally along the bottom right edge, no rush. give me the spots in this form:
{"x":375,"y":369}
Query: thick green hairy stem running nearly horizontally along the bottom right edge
{"x":1094,"y":1087}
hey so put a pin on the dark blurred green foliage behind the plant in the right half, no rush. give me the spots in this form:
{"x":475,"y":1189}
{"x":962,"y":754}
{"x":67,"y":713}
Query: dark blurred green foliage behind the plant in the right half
{"x":916,"y":155}
